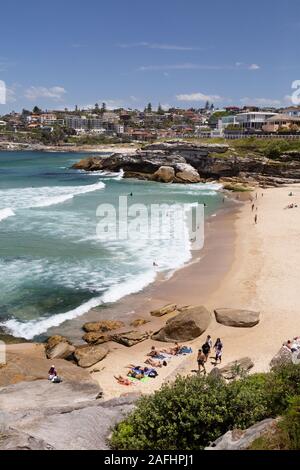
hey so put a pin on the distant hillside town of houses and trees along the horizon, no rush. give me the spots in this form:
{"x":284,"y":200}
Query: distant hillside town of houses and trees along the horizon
{"x":98,"y":125}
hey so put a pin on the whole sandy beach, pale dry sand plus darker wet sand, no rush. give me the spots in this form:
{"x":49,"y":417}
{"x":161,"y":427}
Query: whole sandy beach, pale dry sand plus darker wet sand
{"x":243,"y":265}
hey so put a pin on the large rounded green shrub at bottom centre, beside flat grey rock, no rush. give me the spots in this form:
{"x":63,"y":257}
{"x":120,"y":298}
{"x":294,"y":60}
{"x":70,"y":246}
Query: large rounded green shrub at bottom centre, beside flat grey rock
{"x":185,"y":415}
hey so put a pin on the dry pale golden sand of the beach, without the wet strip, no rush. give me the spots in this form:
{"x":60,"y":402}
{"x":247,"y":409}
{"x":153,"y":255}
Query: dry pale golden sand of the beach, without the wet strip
{"x":263,"y":275}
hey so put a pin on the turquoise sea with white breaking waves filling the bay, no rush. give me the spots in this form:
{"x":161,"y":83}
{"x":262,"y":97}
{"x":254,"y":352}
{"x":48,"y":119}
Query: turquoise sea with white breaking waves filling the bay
{"x":53,"y":267}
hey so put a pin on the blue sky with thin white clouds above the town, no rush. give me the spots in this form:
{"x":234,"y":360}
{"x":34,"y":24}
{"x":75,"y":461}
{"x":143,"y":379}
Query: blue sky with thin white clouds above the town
{"x":61,"y":53}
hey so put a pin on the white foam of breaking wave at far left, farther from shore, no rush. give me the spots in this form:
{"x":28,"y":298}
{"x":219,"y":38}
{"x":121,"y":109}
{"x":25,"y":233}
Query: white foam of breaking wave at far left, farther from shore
{"x":24,"y":198}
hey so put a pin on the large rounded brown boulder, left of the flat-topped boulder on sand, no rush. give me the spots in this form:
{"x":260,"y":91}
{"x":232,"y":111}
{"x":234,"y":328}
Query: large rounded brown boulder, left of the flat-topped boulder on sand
{"x":185,"y":326}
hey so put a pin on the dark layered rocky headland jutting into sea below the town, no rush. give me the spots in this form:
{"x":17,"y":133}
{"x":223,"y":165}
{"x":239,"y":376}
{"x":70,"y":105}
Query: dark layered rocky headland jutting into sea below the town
{"x":184,"y":162}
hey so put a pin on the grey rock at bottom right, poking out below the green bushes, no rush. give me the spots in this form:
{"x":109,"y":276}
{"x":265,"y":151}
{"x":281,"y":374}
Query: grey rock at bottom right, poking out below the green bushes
{"x":242,"y":440}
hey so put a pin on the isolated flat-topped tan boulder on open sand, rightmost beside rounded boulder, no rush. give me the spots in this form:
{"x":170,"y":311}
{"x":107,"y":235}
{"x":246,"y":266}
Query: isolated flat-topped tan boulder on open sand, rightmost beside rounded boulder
{"x":237,"y":317}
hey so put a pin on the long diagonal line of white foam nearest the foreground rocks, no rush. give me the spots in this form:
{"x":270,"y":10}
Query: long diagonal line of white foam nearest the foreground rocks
{"x":36,"y":327}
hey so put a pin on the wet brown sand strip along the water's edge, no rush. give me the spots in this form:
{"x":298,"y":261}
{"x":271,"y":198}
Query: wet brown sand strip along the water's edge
{"x":167,"y":287}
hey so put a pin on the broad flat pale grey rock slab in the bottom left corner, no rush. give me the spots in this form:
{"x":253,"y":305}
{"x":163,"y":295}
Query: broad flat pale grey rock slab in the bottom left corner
{"x":58,"y":416}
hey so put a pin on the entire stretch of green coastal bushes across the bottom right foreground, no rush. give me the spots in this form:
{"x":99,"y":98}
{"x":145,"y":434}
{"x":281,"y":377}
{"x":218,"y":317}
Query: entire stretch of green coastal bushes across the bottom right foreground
{"x":192,"y":412}
